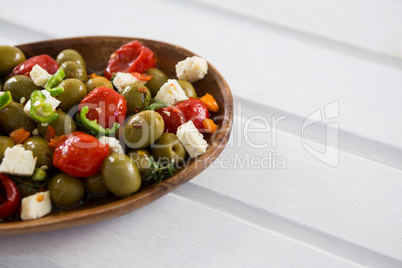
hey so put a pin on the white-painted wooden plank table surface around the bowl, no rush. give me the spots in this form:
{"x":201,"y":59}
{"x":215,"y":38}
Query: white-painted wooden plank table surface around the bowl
{"x":290,"y":190}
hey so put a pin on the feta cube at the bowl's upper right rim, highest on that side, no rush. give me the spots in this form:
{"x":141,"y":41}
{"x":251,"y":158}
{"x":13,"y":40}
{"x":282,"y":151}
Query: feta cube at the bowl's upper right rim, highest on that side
{"x":192,"y":69}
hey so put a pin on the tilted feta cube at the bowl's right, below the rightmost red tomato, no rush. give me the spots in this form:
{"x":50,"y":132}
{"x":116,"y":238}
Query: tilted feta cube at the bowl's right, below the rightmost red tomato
{"x":191,"y":139}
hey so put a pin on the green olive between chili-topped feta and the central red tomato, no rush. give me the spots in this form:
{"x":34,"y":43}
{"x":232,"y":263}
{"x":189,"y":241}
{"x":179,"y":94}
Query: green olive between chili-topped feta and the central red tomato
{"x":74,"y":91}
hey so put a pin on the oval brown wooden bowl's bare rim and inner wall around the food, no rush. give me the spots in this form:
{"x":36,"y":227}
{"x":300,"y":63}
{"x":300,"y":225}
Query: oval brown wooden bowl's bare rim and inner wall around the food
{"x":96,"y":51}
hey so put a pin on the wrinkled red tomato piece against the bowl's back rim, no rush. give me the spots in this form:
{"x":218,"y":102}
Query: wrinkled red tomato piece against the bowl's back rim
{"x":131,"y":57}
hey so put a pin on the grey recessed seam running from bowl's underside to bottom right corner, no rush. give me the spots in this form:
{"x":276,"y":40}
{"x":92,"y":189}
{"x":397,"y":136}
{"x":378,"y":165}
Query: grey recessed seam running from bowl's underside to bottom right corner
{"x":288,"y":229}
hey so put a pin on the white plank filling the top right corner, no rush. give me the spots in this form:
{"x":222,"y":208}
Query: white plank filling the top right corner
{"x":369,"y":25}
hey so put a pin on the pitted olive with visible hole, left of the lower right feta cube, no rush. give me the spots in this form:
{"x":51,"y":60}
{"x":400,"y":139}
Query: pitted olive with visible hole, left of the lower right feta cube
{"x":168,"y":149}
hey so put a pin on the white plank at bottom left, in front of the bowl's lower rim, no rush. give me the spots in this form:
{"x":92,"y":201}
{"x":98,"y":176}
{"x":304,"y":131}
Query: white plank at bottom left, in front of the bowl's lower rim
{"x":171,"y":232}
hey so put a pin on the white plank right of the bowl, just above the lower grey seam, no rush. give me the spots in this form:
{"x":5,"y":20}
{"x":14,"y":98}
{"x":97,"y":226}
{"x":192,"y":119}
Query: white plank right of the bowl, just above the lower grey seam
{"x":357,"y":201}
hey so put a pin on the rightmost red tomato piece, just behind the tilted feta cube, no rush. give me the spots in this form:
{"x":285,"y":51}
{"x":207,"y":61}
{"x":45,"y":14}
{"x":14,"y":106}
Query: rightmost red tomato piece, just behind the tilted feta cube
{"x":191,"y":109}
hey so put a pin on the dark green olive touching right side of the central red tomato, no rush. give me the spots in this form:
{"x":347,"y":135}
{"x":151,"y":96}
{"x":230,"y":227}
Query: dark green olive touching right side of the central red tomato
{"x":137,"y":97}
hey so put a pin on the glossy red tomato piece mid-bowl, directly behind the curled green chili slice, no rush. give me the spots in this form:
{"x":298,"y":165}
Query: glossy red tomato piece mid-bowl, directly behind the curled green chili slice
{"x":106,"y":106}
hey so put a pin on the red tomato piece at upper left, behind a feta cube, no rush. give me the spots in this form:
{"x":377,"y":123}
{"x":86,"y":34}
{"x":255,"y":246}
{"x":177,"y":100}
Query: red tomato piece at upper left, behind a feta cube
{"x":44,"y":61}
